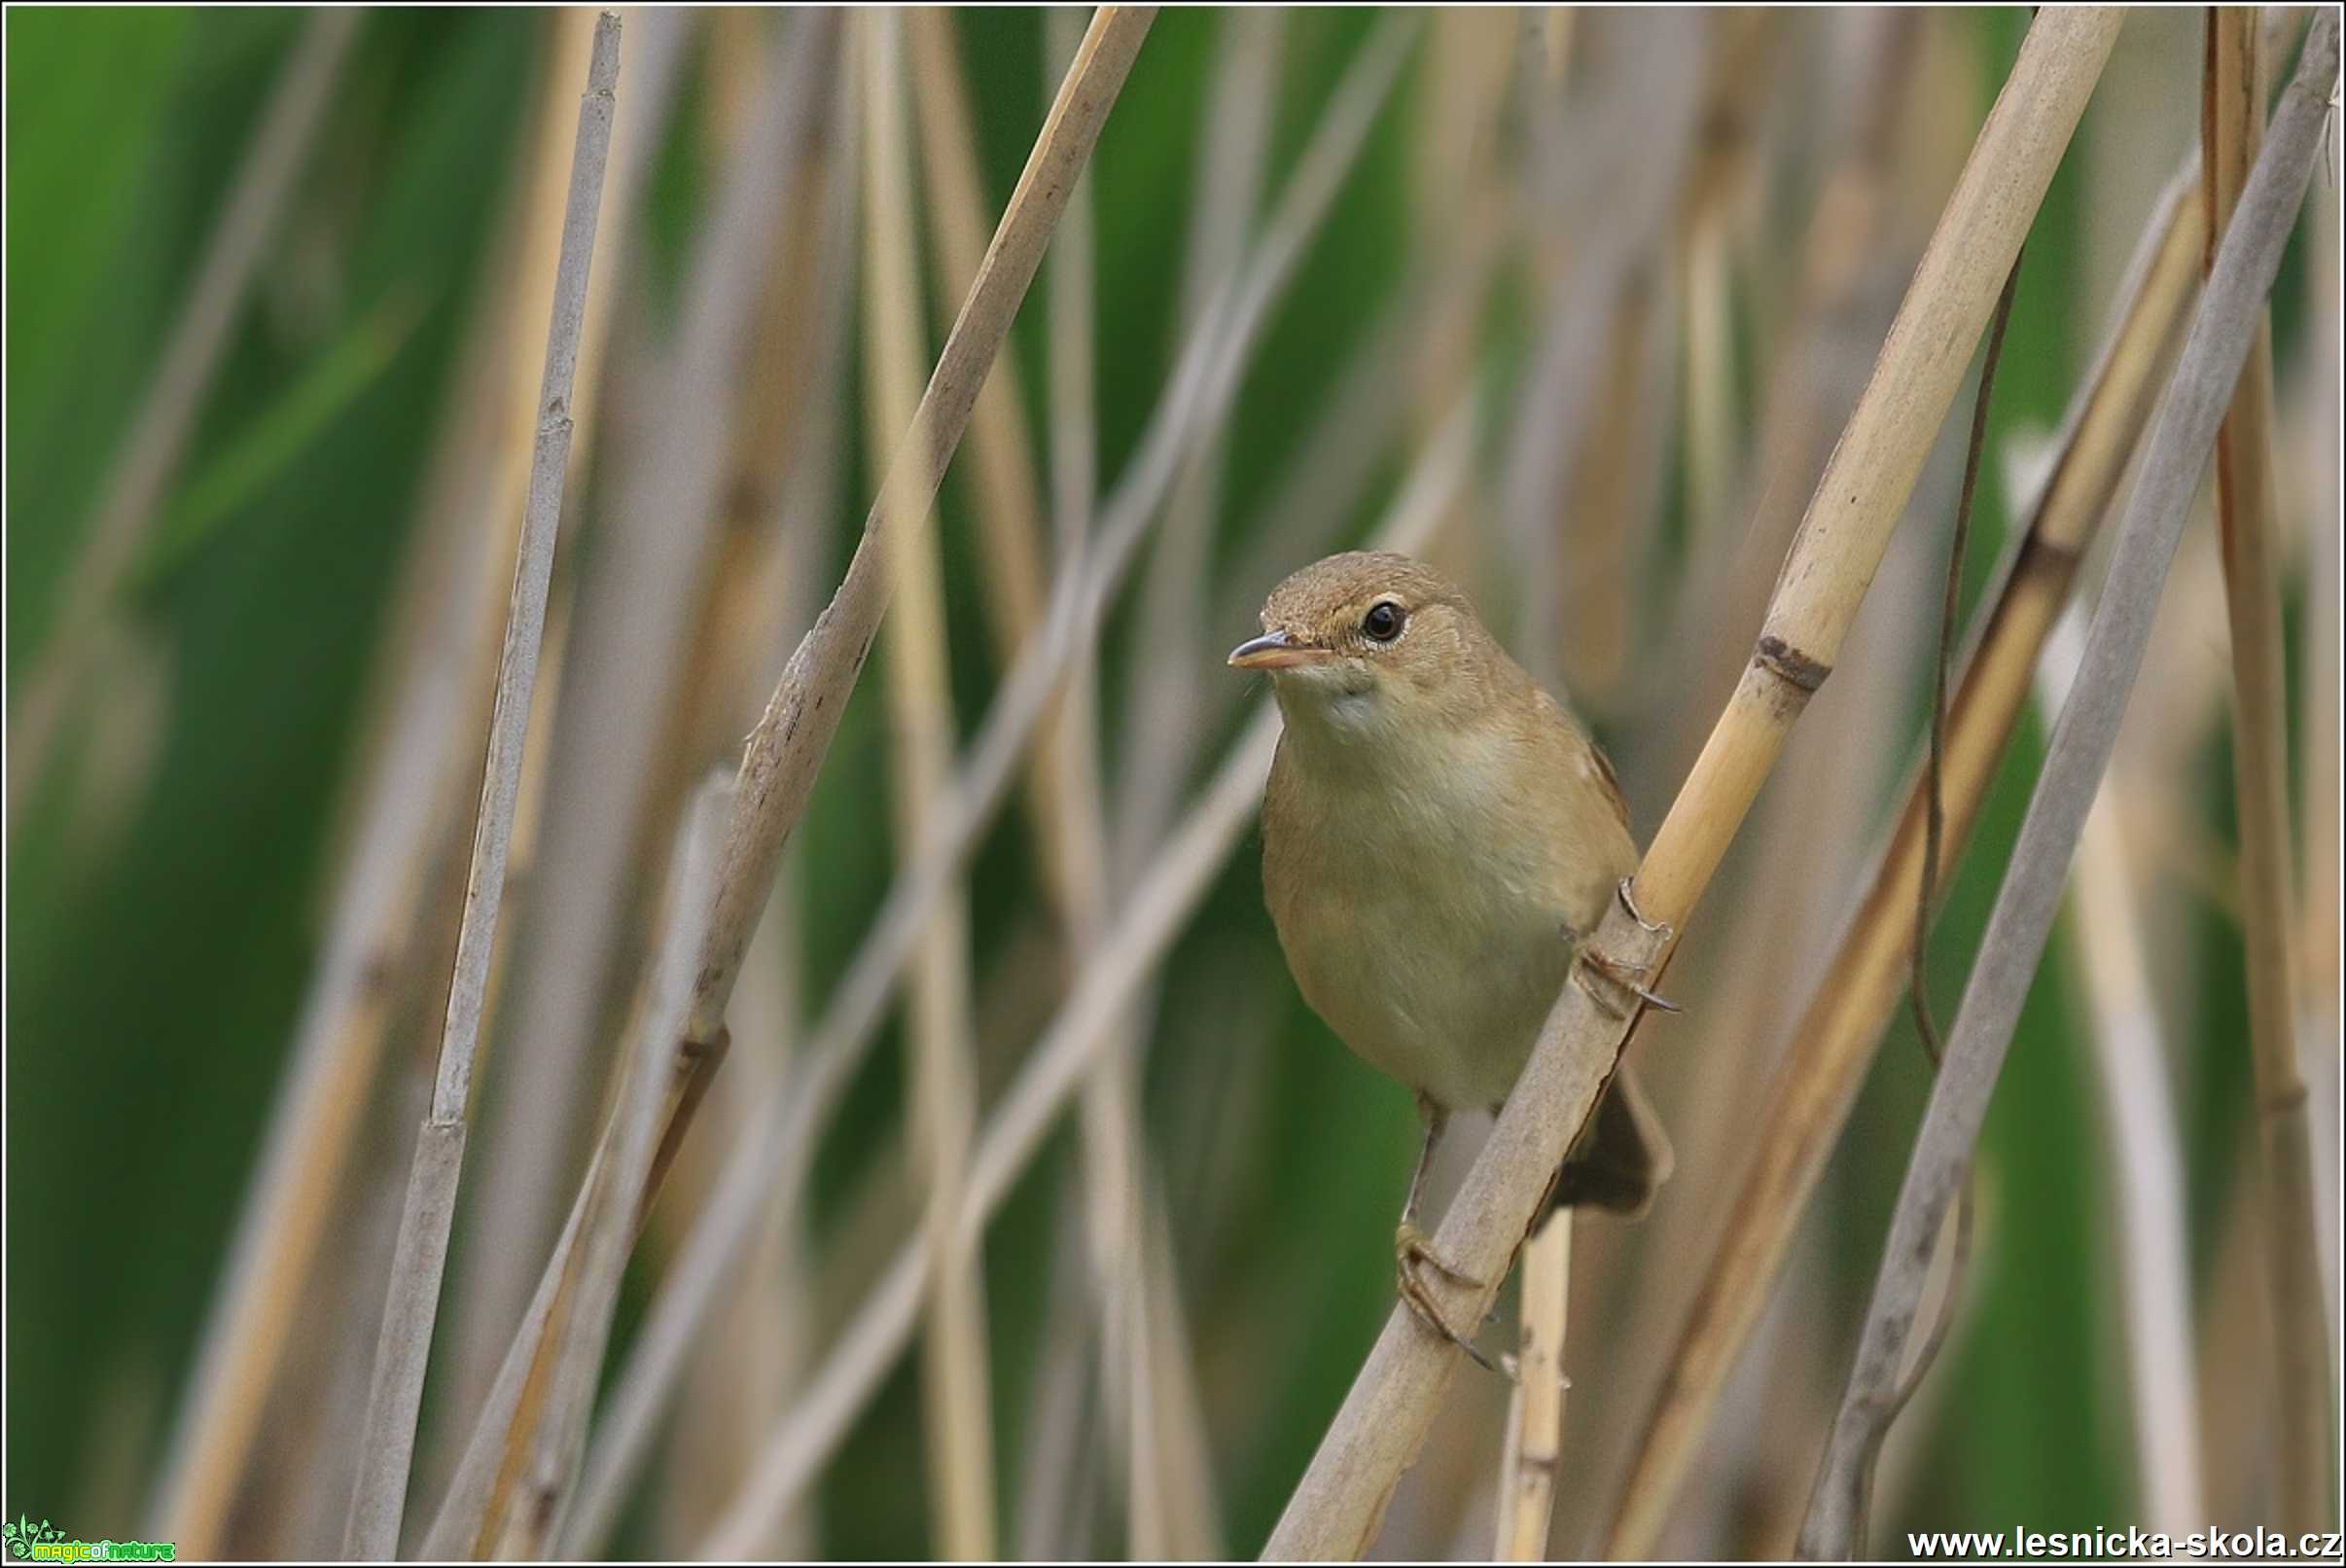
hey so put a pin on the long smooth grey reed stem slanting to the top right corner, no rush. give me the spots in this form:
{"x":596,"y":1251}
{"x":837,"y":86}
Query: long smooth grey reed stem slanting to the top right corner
{"x":2220,"y":342}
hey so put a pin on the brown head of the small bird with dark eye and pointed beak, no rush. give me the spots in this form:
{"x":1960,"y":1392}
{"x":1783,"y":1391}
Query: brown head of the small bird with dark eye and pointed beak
{"x":1367,"y":642}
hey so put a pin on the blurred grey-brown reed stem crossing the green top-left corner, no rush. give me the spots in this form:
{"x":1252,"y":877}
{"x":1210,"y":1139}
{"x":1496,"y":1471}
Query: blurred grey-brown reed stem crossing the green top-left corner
{"x":175,"y":398}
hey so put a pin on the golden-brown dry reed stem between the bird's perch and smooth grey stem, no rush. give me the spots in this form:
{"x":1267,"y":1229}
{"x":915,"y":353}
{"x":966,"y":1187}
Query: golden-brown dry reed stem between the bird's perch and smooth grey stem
{"x":1838,"y":1032}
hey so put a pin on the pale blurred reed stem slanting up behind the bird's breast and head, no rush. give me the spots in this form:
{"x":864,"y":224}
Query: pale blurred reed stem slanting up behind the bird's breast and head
{"x":1127,"y":954}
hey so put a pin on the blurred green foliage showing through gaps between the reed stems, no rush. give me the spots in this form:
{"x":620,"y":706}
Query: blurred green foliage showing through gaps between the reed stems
{"x":170,"y":877}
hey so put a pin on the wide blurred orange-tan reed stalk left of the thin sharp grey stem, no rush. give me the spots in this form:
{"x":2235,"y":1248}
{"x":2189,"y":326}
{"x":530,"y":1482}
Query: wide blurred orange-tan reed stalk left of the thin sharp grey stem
{"x":414,"y":802}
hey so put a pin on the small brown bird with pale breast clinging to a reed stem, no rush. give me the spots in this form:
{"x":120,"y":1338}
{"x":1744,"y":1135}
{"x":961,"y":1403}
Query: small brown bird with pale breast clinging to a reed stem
{"x":1439,"y":839}
